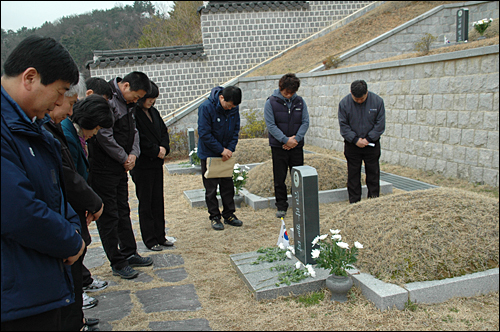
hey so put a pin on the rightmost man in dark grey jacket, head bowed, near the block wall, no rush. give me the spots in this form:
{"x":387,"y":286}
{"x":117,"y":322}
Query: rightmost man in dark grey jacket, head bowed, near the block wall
{"x":362,"y":122}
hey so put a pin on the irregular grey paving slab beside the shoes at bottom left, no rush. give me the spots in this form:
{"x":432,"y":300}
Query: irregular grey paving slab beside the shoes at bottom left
{"x":112,"y":306}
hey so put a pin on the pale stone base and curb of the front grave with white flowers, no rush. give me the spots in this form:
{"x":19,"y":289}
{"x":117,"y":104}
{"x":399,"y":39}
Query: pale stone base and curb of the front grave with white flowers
{"x":261,"y":282}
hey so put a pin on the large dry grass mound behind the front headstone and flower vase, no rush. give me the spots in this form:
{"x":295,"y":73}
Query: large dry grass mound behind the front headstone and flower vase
{"x":423,"y":235}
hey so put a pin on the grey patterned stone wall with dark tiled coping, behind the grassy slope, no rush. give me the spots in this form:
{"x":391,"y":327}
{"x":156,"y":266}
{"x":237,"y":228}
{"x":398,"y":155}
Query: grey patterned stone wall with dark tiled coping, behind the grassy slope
{"x":234,"y":40}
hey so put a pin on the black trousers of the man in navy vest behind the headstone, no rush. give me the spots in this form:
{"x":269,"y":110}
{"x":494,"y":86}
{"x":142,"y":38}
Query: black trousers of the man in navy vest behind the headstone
{"x":283,"y":161}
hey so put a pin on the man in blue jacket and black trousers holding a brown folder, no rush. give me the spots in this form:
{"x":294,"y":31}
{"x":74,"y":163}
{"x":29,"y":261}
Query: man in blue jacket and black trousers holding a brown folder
{"x":218,"y":130}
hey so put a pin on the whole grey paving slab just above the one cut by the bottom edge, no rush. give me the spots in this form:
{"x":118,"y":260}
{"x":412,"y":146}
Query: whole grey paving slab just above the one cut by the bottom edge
{"x":171,"y":298}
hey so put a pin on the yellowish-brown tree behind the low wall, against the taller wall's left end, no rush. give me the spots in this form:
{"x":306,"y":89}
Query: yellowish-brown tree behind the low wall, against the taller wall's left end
{"x":181,"y":26}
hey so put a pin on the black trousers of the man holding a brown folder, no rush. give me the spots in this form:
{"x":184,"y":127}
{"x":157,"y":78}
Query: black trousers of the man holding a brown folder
{"x":226,"y":188}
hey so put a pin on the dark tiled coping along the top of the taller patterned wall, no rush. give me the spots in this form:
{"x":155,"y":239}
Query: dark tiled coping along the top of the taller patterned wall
{"x":214,"y":7}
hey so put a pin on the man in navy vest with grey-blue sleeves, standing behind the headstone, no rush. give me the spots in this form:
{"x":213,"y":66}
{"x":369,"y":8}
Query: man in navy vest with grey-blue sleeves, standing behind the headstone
{"x":287,"y":121}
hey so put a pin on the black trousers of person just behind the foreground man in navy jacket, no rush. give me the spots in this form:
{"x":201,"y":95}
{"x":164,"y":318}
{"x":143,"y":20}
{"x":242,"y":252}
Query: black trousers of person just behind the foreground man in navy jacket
{"x":72,"y":315}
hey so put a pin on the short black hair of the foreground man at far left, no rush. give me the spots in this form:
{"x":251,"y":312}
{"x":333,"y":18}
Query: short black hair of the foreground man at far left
{"x":52,"y":61}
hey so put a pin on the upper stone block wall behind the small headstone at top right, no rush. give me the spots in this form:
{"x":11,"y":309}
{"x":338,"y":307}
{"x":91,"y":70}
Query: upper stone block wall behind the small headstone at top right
{"x":439,"y":22}
